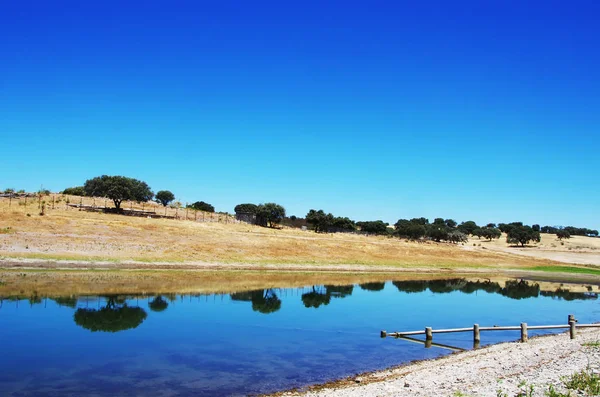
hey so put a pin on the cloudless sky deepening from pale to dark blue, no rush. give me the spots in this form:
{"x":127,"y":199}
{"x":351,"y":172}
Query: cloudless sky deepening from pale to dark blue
{"x":483,"y":110}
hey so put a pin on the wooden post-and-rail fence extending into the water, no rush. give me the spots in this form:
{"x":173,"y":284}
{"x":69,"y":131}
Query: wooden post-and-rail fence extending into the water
{"x":476,"y":329}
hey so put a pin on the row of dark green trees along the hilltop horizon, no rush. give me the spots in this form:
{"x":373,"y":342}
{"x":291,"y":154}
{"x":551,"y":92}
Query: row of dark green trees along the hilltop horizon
{"x":120,"y":188}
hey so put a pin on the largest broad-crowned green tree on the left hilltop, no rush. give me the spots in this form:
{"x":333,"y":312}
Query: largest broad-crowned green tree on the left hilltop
{"x":118,"y":188}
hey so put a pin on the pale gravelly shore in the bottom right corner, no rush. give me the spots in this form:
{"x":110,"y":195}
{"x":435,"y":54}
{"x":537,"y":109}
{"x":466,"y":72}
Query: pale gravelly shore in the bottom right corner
{"x":504,"y":369}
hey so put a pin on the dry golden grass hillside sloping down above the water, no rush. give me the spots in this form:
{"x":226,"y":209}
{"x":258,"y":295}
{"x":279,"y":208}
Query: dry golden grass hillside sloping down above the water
{"x":65,"y":233}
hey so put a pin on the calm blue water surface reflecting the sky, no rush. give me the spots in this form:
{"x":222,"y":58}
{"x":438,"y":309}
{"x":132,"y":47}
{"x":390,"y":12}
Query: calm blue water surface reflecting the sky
{"x":216,"y":346}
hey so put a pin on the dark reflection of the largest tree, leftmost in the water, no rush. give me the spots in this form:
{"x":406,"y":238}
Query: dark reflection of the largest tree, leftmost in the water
{"x":114,"y":317}
